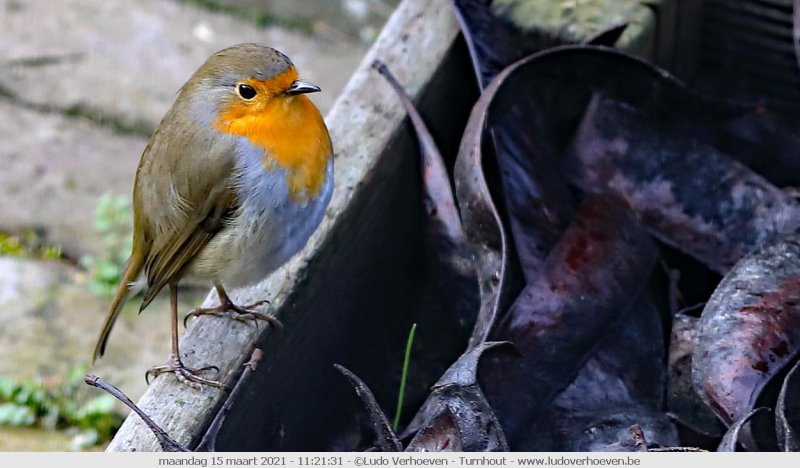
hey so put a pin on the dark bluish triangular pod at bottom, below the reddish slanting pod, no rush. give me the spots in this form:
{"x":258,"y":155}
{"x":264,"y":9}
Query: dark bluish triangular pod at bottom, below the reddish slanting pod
{"x":621,"y":385}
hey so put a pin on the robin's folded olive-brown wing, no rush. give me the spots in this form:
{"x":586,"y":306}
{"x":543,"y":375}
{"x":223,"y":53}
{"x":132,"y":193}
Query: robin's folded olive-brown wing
{"x":185,"y":195}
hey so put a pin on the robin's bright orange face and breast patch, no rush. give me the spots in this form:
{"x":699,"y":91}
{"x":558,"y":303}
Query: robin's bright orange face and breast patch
{"x":291,"y":131}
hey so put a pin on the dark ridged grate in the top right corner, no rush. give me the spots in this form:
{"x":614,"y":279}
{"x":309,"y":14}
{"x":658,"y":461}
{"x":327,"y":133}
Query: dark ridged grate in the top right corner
{"x":748,"y":51}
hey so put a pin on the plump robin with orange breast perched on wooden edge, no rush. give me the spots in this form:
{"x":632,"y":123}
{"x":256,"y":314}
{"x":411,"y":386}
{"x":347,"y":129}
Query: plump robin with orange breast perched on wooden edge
{"x":231,"y":185}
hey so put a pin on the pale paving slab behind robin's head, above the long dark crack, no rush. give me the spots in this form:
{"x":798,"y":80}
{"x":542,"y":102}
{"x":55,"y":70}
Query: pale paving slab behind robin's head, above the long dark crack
{"x":124,"y":61}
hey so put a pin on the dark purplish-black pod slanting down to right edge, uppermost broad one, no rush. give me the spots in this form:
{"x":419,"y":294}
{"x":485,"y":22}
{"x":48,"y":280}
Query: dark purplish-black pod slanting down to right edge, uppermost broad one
{"x":717,"y":215}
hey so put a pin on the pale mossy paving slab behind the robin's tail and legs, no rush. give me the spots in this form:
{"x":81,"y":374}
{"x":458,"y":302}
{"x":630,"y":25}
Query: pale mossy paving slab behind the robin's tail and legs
{"x":49,"y":323}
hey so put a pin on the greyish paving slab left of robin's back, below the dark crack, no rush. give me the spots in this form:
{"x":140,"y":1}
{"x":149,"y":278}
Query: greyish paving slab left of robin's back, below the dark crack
{"x":54,"y":170}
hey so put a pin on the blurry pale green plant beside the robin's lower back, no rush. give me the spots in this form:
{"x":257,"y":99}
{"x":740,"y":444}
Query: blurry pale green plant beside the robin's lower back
{"x":112,"y":221}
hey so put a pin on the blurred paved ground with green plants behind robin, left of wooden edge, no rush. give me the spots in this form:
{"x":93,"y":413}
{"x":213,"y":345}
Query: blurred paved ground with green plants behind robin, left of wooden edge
{"x":83,"y":83}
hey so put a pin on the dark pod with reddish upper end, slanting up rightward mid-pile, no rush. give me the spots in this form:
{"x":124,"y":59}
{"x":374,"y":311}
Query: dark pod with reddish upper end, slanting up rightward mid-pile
{"x":590,"y":279}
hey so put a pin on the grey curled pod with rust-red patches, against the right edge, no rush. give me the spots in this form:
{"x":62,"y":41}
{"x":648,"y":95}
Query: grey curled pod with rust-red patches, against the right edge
{"x":750,"y":329}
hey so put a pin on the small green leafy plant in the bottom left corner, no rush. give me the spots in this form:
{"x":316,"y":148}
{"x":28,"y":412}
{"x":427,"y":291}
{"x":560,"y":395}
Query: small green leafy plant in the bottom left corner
{"x":56,"y":405}
